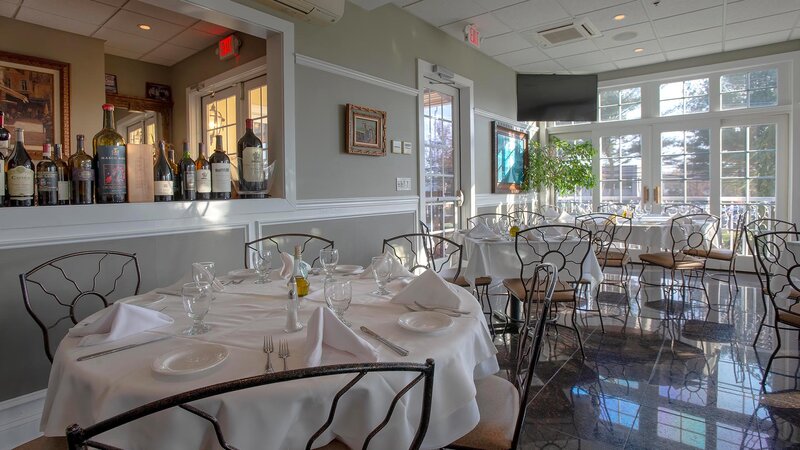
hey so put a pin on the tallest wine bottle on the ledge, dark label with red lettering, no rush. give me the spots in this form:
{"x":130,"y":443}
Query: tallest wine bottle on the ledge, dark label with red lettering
{"x":110,"y":161}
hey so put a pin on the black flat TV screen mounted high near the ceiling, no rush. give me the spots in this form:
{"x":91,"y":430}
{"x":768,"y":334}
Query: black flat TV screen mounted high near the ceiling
{"x":556,"y":97}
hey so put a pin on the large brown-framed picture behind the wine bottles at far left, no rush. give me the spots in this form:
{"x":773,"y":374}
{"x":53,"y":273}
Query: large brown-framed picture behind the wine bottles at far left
{"x":34,"y":94}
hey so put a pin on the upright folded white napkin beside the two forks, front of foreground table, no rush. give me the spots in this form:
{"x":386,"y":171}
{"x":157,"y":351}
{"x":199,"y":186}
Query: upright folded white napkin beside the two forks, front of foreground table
{"x":326,"y":330}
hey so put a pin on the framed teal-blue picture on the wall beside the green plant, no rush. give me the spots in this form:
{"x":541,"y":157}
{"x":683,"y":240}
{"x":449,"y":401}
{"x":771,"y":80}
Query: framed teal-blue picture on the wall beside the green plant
{"x":509,"y":157}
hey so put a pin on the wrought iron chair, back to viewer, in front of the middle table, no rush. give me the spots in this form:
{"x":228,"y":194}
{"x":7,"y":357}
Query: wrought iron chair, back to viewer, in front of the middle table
{"x":564,"y":246}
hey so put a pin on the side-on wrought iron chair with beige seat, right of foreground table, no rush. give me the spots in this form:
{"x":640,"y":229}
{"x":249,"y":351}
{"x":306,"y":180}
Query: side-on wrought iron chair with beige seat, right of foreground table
{"x":503,"y":404}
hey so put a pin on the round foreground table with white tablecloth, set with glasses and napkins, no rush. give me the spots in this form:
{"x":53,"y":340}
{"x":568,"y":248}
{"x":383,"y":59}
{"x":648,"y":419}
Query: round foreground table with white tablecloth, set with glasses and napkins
{"x":221,"y":328}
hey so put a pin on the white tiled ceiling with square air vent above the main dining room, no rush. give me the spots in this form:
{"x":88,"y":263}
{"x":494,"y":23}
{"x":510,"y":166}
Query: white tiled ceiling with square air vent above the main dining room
{"x":665,"y":30}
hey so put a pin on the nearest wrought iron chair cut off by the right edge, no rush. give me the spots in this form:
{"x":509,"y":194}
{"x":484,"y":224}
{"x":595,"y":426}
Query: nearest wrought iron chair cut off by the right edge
{"x":780,"y":266}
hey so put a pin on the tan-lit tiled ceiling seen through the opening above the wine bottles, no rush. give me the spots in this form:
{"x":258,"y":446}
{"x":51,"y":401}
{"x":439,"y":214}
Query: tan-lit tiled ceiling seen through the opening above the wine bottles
{"x":172,"y":37}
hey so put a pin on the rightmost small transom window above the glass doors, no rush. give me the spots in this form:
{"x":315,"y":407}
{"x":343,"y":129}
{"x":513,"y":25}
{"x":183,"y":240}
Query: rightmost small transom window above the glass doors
{"x":749,"y":89}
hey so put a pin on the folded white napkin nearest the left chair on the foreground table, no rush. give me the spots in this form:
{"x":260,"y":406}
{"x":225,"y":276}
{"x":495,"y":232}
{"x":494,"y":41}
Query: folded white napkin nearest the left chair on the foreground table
{"x":118,"y":321}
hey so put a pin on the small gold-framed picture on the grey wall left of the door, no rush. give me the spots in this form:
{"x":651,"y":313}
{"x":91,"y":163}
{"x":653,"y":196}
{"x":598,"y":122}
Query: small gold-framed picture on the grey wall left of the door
{"x":366,"y":131}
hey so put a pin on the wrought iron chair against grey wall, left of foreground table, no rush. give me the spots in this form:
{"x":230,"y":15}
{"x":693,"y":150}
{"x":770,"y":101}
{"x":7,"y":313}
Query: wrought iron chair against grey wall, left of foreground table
{"x":72,"y":288}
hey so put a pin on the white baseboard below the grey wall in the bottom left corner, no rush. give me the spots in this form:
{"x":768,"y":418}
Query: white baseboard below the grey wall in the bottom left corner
{"x":19,"y":419}
